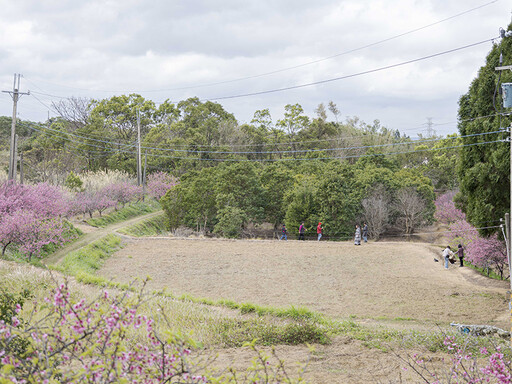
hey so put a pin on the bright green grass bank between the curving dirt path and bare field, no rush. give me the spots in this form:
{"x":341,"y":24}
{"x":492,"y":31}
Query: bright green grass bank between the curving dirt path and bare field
{"x":83,"y":263}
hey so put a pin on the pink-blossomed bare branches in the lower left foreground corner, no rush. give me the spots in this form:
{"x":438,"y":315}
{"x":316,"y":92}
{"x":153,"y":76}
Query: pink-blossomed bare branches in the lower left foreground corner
{"x":103,"y":341}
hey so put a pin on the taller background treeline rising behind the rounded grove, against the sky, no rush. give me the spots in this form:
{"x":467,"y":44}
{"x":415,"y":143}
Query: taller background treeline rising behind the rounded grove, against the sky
{"x":191,"y":135}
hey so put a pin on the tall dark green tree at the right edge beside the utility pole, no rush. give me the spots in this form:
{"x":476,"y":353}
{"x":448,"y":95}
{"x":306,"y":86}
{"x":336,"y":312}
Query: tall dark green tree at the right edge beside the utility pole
{"x":484,"y":170}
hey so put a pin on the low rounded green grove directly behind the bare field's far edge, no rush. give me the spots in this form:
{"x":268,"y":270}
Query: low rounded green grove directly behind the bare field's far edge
{"x":227,"y":198}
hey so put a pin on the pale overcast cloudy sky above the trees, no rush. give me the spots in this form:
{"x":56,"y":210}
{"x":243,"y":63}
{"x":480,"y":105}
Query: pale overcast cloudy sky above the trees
{"x":217,"y":50}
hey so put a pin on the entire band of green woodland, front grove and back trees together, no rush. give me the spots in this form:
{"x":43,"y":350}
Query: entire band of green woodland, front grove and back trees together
{"x":233,"y":176}
